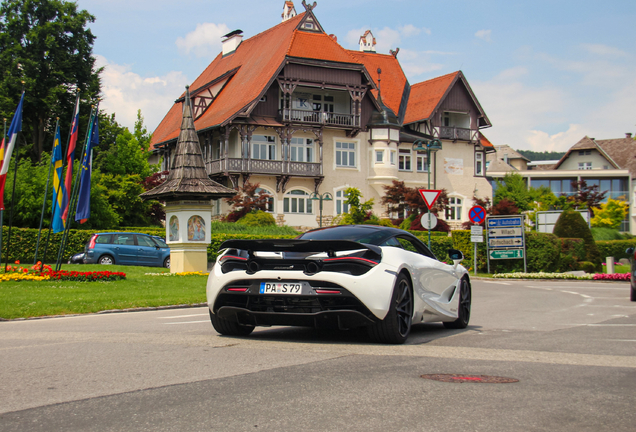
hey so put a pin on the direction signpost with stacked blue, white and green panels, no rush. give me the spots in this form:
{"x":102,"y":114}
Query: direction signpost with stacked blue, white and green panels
{"x":506,"y":238}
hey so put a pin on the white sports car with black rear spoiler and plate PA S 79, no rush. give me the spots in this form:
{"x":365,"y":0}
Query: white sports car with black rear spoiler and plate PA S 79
{"x":339,"y":277}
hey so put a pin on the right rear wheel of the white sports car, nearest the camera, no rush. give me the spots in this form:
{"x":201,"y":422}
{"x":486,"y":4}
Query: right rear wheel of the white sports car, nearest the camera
{"x":396,"y":326}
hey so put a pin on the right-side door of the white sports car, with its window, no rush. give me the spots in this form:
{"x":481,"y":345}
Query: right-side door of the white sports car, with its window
{"x":436,"y":281}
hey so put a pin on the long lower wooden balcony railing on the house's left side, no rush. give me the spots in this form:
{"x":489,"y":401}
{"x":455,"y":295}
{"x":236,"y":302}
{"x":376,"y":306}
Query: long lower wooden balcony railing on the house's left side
{"x":260,"y":166}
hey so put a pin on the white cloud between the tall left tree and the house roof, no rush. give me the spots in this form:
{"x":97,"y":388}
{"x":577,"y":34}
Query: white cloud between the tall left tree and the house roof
{"x":124,"y":92}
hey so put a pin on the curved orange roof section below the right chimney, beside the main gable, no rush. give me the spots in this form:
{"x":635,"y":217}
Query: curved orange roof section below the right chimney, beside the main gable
{"x":393,"y":78}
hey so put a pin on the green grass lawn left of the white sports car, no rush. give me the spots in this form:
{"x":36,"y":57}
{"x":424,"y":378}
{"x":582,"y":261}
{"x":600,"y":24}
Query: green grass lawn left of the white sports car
{"x":26,"y":299}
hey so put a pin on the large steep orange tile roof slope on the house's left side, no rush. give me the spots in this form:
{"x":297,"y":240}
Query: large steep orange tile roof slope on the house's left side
{"x":258,"y":58}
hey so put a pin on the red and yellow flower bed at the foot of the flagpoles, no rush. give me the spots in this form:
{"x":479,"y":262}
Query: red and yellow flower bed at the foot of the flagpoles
{"x":40,"y":272}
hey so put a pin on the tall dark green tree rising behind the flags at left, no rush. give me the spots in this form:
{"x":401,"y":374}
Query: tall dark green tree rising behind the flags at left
{"x":46,"y":44}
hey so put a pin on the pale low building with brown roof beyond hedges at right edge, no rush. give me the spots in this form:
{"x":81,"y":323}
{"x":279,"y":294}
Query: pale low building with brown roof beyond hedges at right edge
{"x":609,"y":164}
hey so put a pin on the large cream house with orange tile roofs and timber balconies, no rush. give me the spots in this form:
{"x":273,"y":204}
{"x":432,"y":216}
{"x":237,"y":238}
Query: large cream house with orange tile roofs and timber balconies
{"x":294,"y":111}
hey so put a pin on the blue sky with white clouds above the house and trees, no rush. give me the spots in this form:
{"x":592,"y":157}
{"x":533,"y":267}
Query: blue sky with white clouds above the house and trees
{"x":547,"y":73}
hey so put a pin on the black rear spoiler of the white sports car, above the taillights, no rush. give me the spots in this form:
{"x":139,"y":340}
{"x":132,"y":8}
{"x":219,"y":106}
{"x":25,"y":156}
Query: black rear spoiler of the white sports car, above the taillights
{"x":301,"y":246}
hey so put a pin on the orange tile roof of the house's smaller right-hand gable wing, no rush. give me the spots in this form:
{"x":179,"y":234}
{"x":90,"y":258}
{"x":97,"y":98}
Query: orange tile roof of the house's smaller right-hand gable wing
{"x":426,"y":96}
